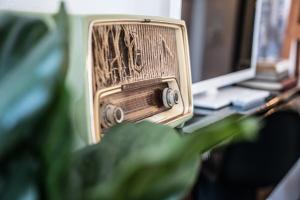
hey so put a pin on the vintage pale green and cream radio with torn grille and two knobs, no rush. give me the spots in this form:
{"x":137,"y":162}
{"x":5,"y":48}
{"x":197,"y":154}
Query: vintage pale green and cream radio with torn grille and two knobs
{"x":128,"y":69}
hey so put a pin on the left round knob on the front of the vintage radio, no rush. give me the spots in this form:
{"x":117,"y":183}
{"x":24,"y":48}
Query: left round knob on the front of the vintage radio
{"x":112,"y":115}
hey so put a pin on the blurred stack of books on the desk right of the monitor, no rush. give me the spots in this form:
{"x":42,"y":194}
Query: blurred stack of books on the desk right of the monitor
{"x":273,"y":76}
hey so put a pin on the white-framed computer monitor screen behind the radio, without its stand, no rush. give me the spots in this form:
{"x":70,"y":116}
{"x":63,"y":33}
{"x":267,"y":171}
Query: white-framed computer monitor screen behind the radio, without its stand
{"x":223,"y":41}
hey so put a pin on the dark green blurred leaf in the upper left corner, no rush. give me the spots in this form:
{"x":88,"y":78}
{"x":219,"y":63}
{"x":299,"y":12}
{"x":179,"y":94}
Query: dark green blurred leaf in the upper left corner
{"x":16,"y":39}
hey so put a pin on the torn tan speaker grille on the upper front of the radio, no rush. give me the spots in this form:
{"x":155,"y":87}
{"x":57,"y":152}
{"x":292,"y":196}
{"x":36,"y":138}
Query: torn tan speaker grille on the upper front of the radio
{"x":128,"y":53}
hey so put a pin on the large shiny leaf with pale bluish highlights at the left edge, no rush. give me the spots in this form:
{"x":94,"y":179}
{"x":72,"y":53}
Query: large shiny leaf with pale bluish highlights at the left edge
{"x":27,"y":88}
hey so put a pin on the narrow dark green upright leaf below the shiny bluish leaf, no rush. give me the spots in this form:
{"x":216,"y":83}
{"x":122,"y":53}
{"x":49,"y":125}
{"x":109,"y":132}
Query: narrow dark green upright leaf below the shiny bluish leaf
{"x":56,"y":148}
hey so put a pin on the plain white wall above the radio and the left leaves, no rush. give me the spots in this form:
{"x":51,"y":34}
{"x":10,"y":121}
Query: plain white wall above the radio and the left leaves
{"x":165,"y":8}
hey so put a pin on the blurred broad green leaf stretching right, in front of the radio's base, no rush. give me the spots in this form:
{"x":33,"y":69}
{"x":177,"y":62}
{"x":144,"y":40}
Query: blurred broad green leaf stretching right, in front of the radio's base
{"x":150,"y":161}
